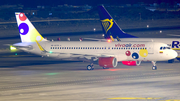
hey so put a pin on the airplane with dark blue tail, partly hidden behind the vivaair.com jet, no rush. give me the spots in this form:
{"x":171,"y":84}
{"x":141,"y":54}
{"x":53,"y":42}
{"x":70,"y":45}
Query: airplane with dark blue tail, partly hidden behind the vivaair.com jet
{"x":114,"y":32}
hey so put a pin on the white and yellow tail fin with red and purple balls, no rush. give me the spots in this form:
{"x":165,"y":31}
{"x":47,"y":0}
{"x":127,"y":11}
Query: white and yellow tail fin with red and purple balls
{"x":27,"y":31}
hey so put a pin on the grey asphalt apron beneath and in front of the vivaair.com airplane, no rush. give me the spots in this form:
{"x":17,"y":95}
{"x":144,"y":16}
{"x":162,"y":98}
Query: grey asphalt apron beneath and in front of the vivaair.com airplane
{"x":27,"y":77}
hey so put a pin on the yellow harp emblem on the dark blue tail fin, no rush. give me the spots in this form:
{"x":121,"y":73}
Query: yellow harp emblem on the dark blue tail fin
{"x":107,"y":24}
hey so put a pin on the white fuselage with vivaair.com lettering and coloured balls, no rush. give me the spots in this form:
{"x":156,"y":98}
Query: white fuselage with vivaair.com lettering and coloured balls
{"x":123,"y":51}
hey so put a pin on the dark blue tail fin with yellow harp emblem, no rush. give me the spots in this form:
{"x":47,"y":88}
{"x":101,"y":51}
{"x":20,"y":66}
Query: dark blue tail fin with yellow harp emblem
{"x":109,"y":26}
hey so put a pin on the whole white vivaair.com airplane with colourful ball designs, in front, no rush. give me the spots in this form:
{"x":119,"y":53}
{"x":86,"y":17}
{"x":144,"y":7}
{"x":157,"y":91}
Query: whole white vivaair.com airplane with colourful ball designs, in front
{"x":107,"y":54}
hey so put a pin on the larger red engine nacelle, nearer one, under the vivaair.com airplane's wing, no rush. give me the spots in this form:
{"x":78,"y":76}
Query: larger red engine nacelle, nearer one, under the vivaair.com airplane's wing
{"x":107,"y":62}
